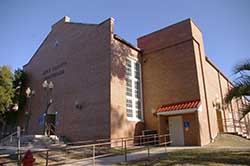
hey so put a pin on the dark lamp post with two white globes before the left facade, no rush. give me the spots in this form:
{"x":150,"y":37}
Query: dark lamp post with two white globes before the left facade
{"x":48,"y":89}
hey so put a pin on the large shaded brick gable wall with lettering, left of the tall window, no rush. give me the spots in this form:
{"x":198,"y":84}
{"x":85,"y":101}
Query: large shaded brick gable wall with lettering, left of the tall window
{"x":85,"y":51}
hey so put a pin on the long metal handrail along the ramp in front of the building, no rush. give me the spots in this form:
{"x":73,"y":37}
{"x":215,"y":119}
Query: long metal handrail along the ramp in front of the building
{"x":118,"y":146}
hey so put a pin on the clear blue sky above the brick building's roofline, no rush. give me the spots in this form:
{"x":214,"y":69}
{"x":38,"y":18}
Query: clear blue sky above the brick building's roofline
{"x":225,"y":24}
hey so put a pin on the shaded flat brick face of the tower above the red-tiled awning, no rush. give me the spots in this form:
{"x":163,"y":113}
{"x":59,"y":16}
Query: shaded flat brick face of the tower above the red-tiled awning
{"x":169,"y":69}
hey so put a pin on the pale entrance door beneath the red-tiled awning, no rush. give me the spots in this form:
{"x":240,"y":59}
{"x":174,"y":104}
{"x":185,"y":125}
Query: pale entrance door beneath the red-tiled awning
{"x":176,"y":130}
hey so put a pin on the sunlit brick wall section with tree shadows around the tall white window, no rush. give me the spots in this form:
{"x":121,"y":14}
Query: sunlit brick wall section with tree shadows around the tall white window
{"x":120,"y":125}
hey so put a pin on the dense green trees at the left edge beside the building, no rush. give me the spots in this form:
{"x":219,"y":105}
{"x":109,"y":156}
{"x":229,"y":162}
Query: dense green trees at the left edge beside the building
{"x":12,"y":95}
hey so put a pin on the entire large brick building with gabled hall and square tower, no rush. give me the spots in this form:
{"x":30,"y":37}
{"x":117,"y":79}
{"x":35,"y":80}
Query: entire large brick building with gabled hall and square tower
{"x":104,"y":87}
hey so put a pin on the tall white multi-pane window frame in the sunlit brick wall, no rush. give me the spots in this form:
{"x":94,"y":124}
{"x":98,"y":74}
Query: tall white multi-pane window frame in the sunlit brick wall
{"x":133,"y":98}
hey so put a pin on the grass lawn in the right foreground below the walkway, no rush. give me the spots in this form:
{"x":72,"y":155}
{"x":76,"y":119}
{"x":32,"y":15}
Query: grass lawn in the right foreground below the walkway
{"x":197,"y":157}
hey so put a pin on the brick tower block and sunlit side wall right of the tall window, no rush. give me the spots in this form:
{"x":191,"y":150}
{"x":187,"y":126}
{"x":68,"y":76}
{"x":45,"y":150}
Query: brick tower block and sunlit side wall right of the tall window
{"x":176,"y":69}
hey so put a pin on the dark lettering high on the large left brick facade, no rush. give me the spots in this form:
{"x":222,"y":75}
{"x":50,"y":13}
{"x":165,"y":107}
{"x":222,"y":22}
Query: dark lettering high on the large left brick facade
{"x":54,"y":71}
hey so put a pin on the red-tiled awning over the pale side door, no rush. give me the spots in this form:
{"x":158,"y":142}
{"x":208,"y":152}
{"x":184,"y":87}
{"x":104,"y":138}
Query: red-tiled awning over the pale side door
{"x":179,"y":108}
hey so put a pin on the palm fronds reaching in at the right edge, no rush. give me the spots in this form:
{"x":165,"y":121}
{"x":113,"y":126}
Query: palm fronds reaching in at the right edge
{"x":241,"y":85}
